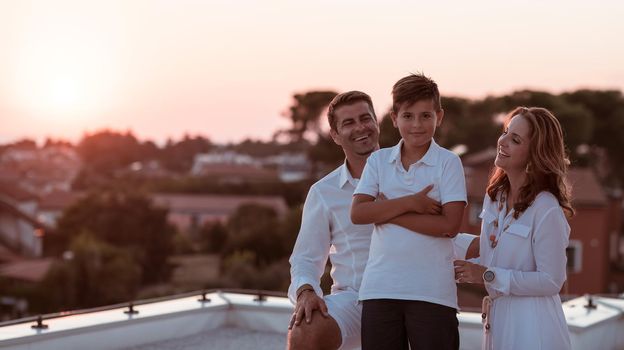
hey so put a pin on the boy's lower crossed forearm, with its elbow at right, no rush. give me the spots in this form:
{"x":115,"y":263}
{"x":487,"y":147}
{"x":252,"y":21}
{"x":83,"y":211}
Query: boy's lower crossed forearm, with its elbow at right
{"x":444,"y":225}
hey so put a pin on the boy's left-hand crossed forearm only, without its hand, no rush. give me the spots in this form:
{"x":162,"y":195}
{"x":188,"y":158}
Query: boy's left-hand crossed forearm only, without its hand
{"x":376,"y":212}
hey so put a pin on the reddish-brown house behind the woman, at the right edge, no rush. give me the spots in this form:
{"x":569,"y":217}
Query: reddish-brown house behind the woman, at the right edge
{"x":595,"y":229}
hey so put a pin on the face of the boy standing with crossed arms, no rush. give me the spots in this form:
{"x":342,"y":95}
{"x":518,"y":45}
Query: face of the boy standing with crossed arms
{"x":417,"y":122}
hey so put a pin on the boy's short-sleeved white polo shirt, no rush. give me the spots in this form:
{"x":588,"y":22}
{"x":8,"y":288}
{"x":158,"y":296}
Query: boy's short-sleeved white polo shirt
{"x":403,"y":264}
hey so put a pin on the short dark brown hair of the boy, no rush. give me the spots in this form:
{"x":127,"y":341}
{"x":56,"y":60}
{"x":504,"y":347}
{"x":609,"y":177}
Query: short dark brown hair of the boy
{"x":414,"y":88}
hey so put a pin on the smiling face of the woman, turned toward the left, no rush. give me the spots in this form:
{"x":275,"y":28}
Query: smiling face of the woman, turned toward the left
{"x":513,"y":146}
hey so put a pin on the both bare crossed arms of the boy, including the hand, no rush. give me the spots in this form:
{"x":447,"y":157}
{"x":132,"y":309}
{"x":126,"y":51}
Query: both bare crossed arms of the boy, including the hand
{"x":415,"y":212}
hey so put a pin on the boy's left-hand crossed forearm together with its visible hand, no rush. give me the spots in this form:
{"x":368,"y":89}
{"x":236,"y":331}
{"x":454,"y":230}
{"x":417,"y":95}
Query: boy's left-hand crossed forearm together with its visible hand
{"x":366,"y":210}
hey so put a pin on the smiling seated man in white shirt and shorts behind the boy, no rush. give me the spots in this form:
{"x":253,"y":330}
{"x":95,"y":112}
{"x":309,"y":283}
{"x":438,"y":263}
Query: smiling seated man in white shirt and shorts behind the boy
{"x":333,"y":321}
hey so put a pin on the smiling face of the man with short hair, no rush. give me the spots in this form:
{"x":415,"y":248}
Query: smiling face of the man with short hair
{"x":356,"y":131}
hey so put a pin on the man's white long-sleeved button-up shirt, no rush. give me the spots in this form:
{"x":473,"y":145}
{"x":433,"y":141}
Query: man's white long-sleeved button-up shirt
{"x":327,"y":232}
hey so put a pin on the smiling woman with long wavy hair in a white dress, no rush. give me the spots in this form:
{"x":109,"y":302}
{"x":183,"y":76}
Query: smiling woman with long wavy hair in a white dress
{"x":524,"y":235}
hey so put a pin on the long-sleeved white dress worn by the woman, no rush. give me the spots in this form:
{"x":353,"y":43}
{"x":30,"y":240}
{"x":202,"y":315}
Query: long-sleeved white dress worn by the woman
{"x":529,"y":262}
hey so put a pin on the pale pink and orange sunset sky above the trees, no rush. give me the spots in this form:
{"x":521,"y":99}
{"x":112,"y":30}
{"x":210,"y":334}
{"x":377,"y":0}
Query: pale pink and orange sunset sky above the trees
{"x":228,"y":69}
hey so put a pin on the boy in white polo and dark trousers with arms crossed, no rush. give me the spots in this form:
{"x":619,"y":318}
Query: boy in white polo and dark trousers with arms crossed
{"x":408,"y":288}
